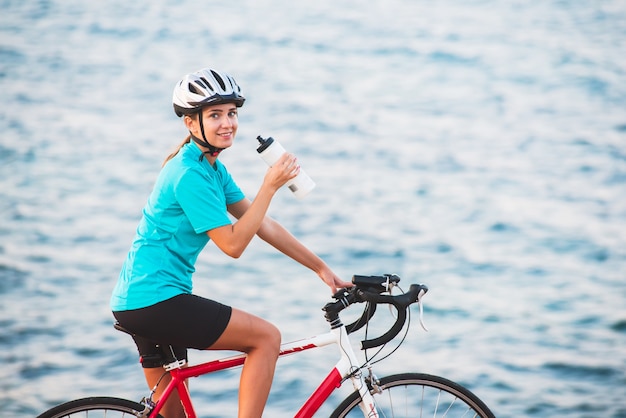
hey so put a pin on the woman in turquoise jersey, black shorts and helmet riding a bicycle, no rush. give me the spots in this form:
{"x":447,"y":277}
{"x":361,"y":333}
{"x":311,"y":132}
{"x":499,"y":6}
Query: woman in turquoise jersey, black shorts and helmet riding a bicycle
{"x":189,"y":205}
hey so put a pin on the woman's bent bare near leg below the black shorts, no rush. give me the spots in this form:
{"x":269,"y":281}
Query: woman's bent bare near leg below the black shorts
{"x":260,"y":340}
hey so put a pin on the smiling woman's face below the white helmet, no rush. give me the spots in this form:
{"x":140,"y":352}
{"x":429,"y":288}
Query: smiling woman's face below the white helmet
{"x":220,"y":124}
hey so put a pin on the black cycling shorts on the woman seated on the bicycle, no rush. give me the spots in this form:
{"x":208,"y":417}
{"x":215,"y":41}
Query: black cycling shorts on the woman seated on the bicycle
{"x":182,"y":322}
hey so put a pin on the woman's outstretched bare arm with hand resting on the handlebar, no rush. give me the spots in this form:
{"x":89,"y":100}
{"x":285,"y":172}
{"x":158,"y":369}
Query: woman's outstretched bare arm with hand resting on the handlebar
{"x":280,"y":238}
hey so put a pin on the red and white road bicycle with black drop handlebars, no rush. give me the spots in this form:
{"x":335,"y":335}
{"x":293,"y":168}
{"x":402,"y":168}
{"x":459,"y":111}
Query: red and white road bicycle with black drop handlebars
{"x":400,"y":395}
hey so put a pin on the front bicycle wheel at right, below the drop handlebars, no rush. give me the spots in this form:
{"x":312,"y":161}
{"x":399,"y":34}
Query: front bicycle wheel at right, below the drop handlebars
{"x":418,"y":395}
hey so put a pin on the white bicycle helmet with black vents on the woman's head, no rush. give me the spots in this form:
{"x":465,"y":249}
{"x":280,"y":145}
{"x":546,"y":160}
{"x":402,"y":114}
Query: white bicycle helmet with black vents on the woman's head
{"x":203,"y":88}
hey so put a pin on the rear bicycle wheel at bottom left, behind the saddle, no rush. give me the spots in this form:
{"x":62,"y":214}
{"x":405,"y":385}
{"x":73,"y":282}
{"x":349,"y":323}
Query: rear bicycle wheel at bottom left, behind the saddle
{"x":95,"y":407}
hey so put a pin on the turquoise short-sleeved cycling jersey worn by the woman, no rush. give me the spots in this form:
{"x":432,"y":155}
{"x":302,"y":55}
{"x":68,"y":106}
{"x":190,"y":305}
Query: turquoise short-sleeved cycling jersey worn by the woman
{"x":190,"y":197}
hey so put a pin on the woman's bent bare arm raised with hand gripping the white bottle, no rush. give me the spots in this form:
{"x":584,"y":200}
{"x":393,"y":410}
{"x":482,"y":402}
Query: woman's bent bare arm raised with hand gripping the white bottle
{"x":233,"y":239}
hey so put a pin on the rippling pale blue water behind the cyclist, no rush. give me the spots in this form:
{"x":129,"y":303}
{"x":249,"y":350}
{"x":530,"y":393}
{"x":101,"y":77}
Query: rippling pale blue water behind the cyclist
{"x":475,"y":146}
